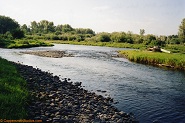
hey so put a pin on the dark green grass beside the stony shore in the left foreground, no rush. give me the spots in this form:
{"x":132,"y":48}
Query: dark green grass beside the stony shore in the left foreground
{"x":13,"y":92}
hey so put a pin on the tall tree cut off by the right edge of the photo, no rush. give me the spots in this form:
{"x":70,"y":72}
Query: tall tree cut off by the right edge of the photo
{"x":181,"y":32}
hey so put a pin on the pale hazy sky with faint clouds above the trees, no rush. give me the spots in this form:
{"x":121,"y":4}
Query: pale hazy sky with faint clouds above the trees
{"x":159,"y":17}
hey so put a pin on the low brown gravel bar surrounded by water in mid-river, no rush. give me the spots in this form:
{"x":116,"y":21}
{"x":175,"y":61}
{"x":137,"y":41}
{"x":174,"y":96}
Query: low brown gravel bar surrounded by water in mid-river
{"x":53,"y":54}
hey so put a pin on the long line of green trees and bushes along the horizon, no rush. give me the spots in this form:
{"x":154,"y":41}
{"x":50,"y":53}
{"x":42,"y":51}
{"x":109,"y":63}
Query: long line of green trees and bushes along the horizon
{"x":46,"y":30}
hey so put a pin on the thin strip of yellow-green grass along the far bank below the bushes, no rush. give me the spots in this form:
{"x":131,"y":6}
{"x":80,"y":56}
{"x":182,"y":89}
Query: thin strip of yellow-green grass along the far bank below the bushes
{"x":106,"y":44}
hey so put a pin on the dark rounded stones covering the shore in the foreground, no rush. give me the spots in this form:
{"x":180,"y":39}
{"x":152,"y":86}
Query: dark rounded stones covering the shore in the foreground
{"x":55,"y":100}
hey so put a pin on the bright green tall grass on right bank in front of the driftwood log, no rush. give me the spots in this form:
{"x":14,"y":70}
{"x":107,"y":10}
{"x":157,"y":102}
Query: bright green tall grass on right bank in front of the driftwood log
{"x":176,"y":61}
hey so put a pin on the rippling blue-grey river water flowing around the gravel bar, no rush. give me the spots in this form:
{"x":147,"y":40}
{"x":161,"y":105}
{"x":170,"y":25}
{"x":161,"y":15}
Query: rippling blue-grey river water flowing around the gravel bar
{"x":150,"y":93}
